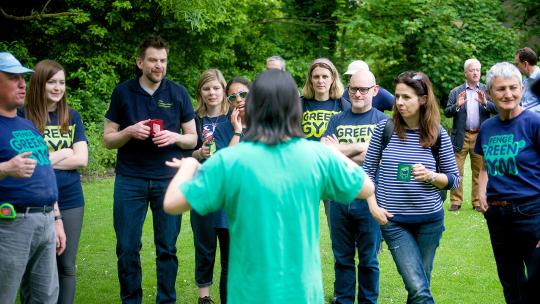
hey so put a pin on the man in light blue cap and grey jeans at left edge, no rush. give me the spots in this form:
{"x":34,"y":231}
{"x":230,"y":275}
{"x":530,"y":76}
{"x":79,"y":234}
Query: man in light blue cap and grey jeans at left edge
{"x":31,"y":228}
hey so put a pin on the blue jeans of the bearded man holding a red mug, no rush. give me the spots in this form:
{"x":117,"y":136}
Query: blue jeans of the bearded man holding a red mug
{"x":131,"y":199}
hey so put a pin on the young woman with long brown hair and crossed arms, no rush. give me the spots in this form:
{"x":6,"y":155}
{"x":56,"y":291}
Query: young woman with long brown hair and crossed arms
{"x":63,"y":131}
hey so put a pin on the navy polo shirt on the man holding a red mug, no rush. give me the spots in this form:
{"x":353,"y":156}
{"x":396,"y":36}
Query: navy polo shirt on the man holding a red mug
{"x":131,"y":104}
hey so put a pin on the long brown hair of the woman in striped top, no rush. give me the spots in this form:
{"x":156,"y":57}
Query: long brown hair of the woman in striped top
{"x":430,"y":118}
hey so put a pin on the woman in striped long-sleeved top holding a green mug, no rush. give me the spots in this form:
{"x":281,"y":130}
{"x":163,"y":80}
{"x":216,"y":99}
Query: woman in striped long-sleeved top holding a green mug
{"x":412,"y":166}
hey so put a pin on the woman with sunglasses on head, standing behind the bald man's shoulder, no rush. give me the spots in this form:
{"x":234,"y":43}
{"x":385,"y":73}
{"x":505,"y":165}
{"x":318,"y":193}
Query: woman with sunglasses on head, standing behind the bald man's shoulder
{"x":321,"y":98}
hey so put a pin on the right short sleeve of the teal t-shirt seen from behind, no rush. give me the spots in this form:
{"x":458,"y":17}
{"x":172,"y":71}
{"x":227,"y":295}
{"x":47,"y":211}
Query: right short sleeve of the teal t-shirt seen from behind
{"x":343,"y":180}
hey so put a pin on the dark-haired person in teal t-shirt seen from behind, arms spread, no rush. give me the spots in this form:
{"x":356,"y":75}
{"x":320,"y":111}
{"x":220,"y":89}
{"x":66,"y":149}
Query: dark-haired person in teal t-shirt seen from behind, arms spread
{"x":270,"y":186}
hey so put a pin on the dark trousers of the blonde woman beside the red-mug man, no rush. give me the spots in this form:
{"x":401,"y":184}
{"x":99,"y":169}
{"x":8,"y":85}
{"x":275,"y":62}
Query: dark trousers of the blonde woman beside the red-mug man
{"x":205,"y":237}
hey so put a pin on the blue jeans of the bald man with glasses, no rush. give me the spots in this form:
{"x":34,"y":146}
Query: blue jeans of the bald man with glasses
{"x":353,"y":228}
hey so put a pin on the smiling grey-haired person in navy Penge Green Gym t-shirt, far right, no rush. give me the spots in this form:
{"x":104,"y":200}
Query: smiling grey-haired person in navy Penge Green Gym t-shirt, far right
{"x":510,"y":185}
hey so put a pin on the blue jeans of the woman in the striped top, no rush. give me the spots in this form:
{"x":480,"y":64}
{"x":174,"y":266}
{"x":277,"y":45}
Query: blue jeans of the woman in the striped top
{"x":413,"y":248}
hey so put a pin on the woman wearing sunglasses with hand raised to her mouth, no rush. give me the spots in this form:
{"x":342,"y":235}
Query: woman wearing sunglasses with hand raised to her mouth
{"x":231,"y":133}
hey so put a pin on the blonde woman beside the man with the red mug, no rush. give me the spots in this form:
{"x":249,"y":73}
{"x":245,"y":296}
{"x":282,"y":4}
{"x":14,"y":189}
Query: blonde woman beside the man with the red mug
{"x":207,"y":230}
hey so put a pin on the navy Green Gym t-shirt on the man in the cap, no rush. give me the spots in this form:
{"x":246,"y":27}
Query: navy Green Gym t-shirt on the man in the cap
{"x":18,"y":135}
